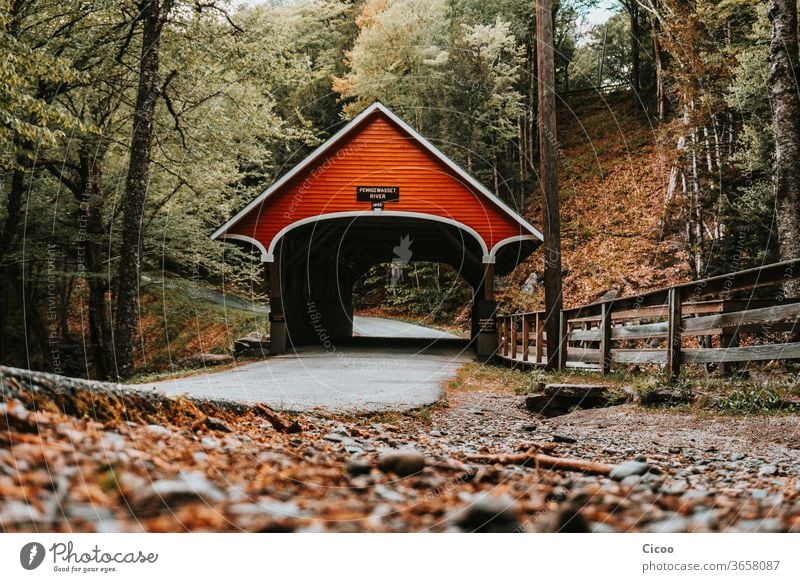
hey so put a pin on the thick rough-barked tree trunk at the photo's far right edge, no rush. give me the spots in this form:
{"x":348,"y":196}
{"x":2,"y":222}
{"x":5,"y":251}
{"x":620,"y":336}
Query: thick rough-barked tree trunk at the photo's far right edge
{"x":786,"y":128}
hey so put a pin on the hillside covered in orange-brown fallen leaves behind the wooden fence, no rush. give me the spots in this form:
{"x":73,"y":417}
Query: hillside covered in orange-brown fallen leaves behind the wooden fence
{"x":613,"y":174}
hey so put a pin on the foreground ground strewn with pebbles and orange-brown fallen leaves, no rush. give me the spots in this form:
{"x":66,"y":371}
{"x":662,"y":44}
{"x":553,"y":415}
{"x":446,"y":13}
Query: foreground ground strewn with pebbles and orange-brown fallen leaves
{"x":195,"y":466}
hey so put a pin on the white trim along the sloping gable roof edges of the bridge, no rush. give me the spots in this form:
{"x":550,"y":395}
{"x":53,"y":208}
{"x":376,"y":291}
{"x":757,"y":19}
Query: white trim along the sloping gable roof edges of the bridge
{"x":377,"y":106}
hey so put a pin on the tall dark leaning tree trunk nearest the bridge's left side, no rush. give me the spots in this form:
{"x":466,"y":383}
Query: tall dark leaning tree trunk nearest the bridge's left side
{"x":127,"y":314}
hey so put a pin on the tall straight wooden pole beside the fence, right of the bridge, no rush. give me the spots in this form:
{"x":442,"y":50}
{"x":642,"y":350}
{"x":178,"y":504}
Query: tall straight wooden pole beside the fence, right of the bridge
{"x":549,"y":181}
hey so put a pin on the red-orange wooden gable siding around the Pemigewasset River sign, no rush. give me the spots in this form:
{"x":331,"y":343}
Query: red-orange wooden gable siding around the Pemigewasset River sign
{"x":377,"y":153}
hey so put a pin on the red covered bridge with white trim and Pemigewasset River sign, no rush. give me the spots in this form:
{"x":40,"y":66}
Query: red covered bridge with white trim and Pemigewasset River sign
{"x":348,"y":206}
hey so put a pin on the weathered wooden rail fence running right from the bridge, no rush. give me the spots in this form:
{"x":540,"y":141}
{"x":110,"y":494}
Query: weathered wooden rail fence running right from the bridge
{"x":672,"y":326}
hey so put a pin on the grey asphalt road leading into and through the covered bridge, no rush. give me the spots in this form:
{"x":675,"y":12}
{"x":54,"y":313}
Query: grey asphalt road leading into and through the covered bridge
{"x":364,"y":374}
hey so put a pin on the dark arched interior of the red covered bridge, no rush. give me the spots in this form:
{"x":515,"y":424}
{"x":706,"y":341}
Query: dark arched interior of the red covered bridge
{"x":318,"y":263}
